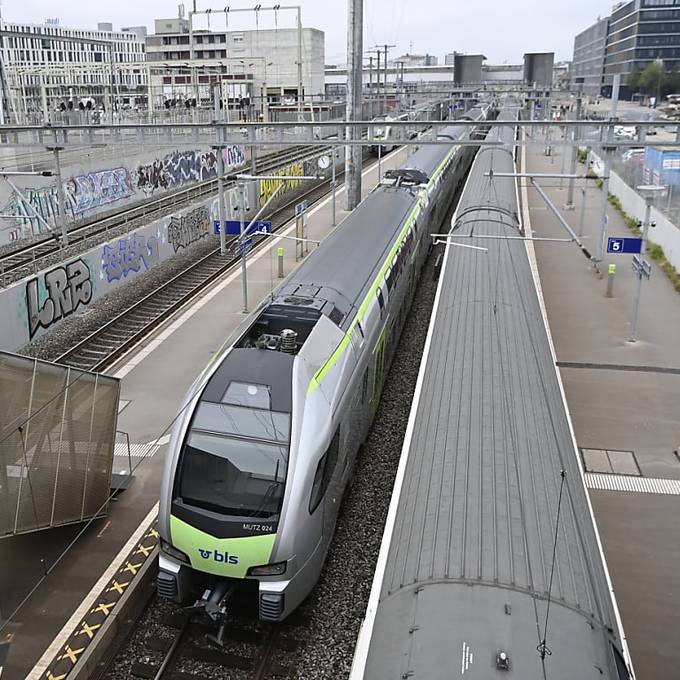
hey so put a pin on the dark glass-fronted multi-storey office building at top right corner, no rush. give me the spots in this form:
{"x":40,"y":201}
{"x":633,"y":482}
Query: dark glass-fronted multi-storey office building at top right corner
{"x":637,"y":33}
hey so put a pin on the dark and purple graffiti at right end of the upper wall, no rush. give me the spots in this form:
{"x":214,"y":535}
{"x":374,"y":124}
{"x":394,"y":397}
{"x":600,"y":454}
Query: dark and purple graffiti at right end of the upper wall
{"x":182,"y":167}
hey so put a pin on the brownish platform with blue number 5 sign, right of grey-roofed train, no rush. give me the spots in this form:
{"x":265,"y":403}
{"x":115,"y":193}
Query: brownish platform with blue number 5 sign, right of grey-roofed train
{"x":623,"y":398}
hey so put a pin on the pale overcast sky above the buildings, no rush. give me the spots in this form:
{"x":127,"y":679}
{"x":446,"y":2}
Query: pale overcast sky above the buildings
{"x":501,"y":29}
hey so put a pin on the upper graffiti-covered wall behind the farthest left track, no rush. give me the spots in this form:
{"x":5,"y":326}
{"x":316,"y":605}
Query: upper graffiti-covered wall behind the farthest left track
{"x":92,"y":190}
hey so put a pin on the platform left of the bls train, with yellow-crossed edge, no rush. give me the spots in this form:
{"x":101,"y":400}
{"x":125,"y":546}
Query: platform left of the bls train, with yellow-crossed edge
{"x":155,"y":377}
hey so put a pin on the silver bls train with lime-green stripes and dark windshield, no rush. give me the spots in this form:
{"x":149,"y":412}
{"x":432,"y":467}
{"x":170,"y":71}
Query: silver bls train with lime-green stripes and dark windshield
{"x":266,"y":438}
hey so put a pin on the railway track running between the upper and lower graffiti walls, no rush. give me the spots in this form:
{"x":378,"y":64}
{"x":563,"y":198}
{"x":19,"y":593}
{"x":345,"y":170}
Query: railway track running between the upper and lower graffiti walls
{"x":28,"y":259}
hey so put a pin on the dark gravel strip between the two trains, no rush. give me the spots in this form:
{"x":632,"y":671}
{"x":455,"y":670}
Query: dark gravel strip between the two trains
{"x":337,"y":605}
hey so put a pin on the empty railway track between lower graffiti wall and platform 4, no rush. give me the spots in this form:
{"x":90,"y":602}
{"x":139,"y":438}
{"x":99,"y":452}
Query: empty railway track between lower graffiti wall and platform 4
{"x":110,"y":341}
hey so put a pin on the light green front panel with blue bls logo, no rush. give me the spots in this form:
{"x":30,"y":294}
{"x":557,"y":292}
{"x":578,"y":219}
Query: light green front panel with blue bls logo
{"x":221,"y":556}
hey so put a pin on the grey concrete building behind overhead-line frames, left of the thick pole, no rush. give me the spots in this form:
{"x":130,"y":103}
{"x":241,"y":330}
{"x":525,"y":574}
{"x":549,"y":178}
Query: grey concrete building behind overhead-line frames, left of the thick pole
{"x":257,"y":59}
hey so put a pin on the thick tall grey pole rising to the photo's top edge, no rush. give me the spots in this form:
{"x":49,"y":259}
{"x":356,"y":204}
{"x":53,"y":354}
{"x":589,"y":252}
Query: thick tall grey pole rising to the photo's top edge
{"x":354,"y":77}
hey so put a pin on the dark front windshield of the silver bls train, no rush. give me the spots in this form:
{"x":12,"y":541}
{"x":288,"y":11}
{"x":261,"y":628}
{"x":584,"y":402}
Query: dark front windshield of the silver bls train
{"x":235,"y":460}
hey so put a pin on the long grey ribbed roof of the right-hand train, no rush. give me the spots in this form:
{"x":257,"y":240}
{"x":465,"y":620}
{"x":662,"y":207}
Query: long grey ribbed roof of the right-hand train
{"x":470,"y":557}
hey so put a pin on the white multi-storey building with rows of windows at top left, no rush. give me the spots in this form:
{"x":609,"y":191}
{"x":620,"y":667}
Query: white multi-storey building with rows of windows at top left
{"x":46,"y":66}
